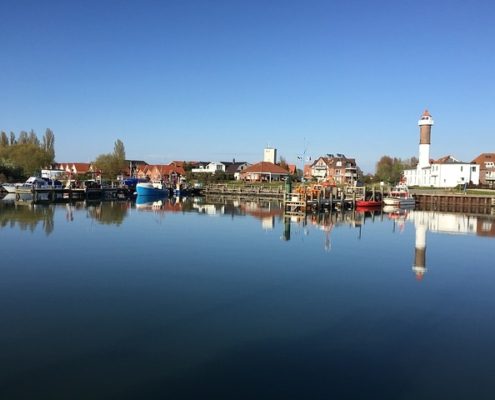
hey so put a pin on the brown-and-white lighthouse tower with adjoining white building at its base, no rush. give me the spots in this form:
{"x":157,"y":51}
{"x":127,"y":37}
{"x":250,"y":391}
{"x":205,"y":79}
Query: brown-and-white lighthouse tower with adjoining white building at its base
{"x":444,"y":172}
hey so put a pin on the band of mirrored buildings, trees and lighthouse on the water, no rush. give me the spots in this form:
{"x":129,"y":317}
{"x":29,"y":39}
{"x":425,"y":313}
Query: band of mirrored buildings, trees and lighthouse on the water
{"x":270,"y":213}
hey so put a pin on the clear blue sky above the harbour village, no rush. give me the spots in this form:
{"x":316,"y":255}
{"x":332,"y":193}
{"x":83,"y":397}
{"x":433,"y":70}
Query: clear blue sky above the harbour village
{"x":215,"y":80}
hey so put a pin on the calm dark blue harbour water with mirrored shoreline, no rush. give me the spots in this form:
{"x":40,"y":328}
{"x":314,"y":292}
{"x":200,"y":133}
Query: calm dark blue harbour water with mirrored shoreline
{"x":195,"y":300}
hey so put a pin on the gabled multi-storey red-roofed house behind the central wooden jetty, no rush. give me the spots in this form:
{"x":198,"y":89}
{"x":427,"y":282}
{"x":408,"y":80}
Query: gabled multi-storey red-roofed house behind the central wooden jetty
{"x":338,"y":168}
